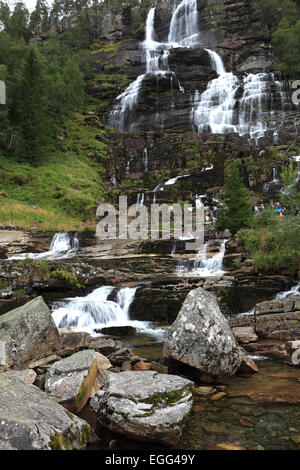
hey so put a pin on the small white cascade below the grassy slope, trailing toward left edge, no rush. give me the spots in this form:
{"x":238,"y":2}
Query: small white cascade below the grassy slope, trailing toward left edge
{"x":61,"y":247}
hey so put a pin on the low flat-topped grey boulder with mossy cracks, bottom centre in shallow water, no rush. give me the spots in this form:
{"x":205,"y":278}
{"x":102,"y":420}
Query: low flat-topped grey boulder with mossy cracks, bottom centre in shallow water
{"x":145,"y":406}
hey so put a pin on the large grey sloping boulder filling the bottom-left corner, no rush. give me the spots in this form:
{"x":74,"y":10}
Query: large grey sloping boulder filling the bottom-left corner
{"x":30,"y":420}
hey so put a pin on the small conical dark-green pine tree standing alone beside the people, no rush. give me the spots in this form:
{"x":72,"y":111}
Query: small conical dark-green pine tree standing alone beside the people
{"x":237,"y":211}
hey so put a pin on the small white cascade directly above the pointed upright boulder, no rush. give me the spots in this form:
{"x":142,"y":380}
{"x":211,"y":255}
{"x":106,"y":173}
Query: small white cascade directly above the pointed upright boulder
{"x":205,"y":264}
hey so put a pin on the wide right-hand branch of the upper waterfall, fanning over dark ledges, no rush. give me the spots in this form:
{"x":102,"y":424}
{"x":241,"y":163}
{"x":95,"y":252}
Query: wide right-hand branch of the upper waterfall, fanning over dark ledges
{"x":218,"y":110}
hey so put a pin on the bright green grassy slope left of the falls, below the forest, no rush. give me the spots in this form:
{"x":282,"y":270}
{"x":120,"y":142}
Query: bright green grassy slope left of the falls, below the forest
{"x":62,"y":192}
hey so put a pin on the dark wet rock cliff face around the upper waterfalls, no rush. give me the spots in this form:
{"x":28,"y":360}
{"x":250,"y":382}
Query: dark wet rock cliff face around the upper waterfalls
{"x":163,"y":127}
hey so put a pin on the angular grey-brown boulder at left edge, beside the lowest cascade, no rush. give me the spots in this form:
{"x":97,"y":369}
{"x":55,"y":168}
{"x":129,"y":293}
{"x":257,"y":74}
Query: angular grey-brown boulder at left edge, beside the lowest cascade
{"x":27,"y":333}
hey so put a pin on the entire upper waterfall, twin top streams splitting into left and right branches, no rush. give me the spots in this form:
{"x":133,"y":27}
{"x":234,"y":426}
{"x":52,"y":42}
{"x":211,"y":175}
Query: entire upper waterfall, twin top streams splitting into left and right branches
{"x":218,"y":109}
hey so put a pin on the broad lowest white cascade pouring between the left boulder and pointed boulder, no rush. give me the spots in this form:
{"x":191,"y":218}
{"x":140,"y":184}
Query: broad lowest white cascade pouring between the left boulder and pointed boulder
{"x":94,"y":311}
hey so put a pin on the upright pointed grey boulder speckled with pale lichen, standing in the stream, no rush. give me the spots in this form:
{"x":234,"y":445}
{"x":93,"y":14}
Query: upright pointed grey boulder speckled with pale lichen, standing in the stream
{"x":201,"y":337}
